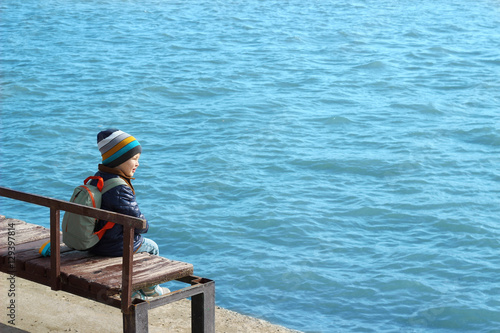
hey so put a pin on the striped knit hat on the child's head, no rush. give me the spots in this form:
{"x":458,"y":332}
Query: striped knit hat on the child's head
{"x":117,"y":147}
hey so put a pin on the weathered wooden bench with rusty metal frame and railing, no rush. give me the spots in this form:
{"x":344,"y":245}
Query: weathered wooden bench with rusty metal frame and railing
{"x":108,"y":280}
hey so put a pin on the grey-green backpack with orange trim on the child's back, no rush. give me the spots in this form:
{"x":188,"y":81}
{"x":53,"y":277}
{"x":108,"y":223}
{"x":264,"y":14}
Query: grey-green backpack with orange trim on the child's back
{"x":78,"y":230}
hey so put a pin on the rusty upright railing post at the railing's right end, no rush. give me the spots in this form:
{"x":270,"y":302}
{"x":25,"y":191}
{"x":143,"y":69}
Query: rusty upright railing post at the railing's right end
{"x":128,"y":252}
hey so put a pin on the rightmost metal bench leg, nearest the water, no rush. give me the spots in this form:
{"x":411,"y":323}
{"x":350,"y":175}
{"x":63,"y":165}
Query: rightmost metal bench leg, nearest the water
{"x":203,"y":310}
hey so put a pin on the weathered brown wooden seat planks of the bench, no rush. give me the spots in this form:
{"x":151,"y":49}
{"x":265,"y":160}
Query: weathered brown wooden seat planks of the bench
{"x":81,"y":270}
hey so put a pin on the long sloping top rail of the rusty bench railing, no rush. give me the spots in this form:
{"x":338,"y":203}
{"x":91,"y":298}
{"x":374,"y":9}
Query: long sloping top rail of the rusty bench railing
{"x":67,"y":206}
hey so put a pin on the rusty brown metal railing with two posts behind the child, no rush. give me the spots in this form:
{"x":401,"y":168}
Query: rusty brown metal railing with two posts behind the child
{"x":55,"y":205}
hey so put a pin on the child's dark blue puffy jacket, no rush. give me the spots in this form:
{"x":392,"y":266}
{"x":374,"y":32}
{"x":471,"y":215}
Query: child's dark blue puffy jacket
{"x":120,"y":199}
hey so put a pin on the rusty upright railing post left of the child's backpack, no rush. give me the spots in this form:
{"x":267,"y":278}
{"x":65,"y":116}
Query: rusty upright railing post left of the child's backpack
{"x":55,"y":249}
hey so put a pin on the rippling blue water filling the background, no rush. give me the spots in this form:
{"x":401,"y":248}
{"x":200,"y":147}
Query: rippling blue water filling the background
{"x":333,"y":165}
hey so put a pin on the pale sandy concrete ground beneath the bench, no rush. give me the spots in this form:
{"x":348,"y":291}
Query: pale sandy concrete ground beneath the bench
{"x":39,"y":309}
